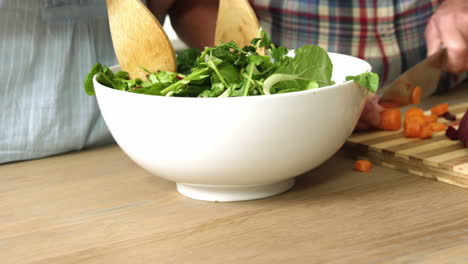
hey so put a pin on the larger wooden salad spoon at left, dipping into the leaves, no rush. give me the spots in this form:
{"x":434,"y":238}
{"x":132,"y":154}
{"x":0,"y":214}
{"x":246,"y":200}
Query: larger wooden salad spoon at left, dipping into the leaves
{"x":138,"y":38}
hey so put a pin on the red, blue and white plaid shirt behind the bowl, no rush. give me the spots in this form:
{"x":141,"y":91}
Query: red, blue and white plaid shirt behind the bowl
{"x":389,"y":34}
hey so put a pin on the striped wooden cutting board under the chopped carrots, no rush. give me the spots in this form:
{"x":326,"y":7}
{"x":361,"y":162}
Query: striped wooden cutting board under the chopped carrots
{"x":437,"y":158}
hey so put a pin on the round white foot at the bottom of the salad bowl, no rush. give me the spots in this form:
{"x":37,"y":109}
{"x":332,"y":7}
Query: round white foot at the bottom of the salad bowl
{"x":225,"y":193}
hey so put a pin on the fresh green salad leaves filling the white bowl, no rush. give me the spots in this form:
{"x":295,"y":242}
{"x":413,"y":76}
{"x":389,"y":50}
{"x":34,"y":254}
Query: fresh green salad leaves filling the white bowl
{"x":228,"y":70}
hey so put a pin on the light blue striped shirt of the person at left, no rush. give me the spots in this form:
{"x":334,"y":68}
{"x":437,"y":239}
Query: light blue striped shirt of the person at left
{"x":46,"y":49}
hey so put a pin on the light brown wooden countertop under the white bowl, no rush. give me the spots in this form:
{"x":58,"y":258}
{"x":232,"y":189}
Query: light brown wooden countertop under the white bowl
{"x":97,"y":206}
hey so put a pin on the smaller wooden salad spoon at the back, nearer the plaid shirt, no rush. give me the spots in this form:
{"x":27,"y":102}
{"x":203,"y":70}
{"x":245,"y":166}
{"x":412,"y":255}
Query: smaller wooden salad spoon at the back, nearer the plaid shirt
{"x":236,"y":21}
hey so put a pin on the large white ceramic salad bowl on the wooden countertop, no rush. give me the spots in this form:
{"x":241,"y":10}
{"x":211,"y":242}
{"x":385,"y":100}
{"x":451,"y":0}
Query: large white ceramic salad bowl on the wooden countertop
{"x":236,"y":148}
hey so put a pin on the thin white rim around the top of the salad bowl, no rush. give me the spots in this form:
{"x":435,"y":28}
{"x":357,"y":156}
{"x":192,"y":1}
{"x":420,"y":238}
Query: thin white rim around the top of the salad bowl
{"x":257,"y":97}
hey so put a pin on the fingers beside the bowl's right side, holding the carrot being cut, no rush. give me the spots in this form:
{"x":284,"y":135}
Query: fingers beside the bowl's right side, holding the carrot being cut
{"x":370,"y":117}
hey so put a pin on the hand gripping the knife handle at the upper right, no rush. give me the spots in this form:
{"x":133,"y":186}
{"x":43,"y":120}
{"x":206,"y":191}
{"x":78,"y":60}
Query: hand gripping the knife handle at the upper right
{"x":449,"y":27}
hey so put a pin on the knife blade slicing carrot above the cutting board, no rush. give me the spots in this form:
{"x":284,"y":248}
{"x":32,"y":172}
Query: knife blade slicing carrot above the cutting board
{"x":426,"y":75}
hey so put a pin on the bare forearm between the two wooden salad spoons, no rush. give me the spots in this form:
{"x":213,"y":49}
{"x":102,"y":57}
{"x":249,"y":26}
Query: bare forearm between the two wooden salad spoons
{"x":194,"y":21}
